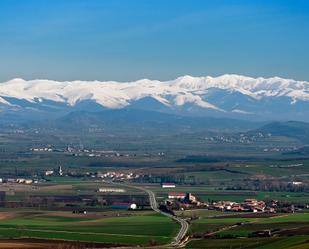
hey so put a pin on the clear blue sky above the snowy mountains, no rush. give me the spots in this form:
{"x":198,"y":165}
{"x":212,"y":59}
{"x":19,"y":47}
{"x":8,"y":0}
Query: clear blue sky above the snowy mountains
{"x":157,"y":39}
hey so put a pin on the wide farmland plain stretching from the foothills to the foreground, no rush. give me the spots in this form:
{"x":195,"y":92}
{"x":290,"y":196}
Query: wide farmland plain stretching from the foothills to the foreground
{"x":70,"y":208}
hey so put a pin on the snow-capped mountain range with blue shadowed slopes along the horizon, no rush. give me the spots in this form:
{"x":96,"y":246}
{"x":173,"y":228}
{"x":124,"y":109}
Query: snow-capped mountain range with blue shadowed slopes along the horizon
{"x":226,"y":95}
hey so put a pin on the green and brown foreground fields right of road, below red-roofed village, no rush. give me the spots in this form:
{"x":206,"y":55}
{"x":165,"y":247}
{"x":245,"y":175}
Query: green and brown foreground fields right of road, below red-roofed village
{"x":237,"y":230}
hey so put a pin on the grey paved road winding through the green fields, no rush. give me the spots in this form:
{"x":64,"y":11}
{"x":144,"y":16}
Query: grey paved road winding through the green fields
{"x":153,"y":203}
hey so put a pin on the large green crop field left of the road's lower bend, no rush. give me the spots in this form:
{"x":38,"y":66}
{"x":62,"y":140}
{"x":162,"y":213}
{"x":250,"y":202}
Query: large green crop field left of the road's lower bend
{"x":135,"y":229}
